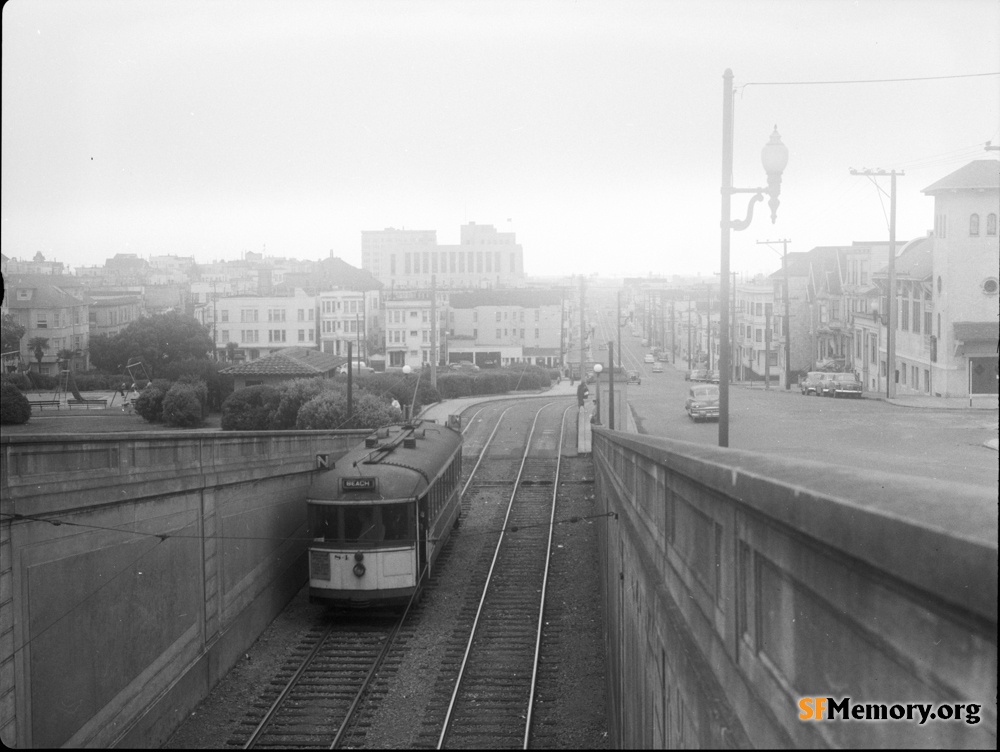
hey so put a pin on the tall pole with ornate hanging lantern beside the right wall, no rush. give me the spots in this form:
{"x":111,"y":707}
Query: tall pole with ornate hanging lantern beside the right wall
{"x":774,"y":157}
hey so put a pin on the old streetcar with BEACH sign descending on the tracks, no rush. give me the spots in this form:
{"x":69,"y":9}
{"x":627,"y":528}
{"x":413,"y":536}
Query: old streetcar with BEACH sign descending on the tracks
{"x":380,"y":516}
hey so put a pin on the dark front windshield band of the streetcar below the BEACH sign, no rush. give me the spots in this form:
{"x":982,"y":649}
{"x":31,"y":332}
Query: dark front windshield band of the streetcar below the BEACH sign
{"x":362,"y":524}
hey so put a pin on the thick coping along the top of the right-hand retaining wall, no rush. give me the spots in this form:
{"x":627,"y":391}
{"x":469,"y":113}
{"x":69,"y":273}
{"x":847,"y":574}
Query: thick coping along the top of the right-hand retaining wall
{"x":943,"y":535}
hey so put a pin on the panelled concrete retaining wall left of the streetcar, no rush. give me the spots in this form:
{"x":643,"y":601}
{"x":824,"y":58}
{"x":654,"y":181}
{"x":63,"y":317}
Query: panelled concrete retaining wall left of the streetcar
{"x":136,"y":568}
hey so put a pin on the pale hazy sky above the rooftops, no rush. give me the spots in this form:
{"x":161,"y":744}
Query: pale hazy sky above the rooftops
{"x":593,"y":130}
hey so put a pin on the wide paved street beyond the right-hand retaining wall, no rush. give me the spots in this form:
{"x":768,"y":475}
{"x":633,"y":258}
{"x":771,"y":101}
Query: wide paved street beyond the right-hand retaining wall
{"x":869,"y":433}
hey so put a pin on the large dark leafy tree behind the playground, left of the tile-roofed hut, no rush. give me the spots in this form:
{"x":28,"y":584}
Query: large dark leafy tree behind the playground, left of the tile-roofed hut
{"x":158,"y":340}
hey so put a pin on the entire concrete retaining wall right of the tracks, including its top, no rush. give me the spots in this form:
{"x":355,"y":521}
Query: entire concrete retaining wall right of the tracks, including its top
{"x":737,"y":584}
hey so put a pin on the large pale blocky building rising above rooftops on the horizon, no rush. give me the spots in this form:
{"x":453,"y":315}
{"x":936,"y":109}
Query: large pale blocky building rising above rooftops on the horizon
{"x":484,"y":258}
